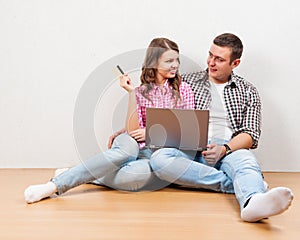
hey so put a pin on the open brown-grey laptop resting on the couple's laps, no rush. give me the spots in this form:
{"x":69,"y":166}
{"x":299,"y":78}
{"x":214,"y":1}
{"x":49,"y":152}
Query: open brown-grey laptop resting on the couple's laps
{"x":185,"y":129}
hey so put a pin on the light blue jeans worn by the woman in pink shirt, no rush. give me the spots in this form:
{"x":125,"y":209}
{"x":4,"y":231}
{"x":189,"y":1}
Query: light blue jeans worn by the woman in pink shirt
{"x":123,"y":167}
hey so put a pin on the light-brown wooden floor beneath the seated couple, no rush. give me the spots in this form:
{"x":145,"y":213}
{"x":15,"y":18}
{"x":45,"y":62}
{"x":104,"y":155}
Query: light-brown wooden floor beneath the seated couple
{"x":93,"y":212}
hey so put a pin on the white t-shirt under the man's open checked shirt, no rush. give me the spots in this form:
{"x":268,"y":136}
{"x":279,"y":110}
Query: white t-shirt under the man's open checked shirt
{"x":219,"y":124}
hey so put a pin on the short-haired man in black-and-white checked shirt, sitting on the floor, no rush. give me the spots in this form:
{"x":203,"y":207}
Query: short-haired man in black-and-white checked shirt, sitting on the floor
{"x":234,"y":127}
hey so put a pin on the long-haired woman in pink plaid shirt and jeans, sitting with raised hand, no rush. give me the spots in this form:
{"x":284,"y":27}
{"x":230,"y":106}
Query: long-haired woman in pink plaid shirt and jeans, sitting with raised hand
{"x":125,"y":166}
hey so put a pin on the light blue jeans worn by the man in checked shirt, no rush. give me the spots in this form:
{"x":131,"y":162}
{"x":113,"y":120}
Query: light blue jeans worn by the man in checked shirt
{"x":239,"y":172}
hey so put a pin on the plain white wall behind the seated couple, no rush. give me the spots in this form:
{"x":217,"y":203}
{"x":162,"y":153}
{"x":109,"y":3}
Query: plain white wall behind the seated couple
{"x":49,"y":49}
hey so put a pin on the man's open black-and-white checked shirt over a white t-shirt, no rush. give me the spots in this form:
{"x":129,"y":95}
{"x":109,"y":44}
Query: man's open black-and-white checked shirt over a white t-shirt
{"x":242,"y":102}
